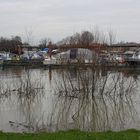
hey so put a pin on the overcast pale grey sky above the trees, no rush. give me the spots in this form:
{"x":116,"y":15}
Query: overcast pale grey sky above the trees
{"x":60,"y":18}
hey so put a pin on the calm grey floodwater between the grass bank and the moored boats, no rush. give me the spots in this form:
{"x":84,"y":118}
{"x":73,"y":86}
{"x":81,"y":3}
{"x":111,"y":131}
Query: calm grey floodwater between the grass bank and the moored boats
{"x":88,"y":99}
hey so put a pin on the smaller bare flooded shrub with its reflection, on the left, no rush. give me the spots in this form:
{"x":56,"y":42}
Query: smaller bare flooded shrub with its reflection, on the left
{"x":27,"y":93}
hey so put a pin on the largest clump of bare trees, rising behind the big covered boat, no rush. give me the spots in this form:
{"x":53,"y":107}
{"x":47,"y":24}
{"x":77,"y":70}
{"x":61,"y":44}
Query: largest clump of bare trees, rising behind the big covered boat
{"x":87,"y":38}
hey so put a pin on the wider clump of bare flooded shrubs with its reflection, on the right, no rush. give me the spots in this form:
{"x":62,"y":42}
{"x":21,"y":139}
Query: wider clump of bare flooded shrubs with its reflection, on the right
{"x":94,"y":102}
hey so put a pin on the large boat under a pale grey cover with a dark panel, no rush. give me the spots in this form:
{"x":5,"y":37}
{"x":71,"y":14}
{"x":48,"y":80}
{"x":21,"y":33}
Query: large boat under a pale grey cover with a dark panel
{"x":71,"y":56}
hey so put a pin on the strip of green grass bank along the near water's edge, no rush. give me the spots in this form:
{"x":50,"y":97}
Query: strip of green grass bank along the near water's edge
{"x":74,"y":135}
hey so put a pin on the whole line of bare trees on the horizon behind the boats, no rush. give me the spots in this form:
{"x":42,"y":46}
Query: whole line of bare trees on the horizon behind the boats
{"x":85,"y":38}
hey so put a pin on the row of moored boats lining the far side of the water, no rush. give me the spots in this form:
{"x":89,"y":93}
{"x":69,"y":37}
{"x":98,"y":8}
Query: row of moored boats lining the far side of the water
{"x":84,"y":57}
